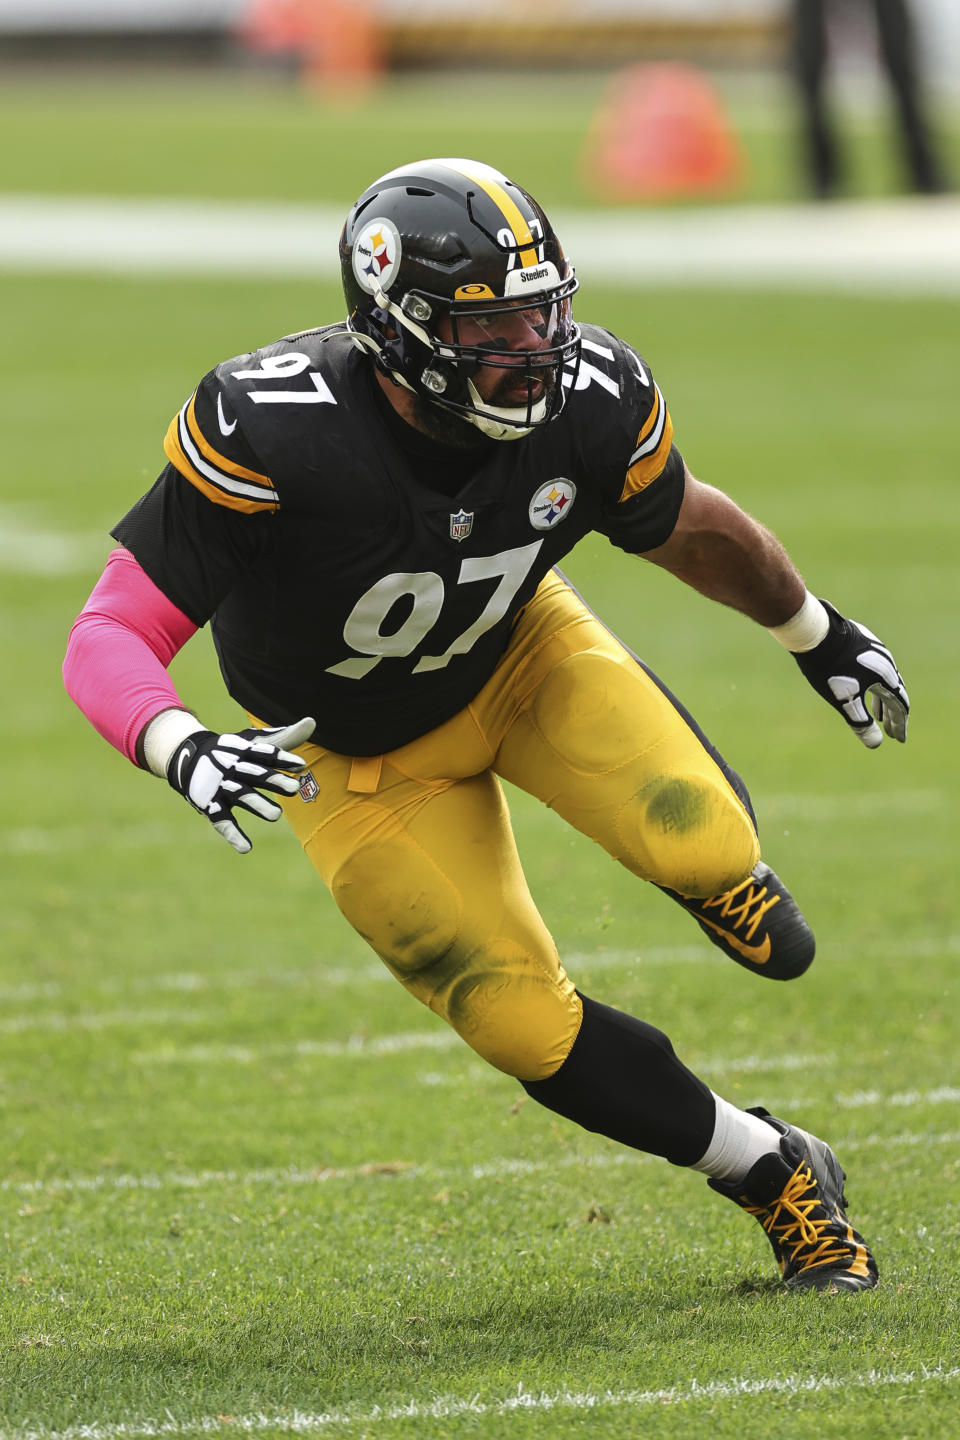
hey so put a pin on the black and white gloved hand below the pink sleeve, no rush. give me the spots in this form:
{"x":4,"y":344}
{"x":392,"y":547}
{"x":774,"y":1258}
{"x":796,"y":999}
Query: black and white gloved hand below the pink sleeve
{"x":215,"y":773}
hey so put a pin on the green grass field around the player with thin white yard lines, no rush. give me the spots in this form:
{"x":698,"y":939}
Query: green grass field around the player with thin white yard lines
{"x":248,"y":1186}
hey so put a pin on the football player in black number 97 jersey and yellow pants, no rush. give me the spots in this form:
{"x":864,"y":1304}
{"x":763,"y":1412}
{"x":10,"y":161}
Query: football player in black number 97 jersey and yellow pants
{"x":371,"y":516}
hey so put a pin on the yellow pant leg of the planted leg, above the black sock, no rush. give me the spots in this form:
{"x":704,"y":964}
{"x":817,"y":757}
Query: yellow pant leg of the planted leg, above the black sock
{"x":418,"y":853}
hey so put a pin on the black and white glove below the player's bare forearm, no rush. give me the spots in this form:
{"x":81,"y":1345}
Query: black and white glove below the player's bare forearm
{"x":857,"y":675}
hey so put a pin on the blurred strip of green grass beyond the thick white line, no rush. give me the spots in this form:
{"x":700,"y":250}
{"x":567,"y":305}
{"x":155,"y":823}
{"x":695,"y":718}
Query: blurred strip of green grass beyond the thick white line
{"x":219,"y":136}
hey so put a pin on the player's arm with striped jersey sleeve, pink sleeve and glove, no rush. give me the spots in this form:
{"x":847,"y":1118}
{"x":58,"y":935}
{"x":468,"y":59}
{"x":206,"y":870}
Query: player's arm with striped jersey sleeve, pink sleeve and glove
{"x":182,"y":548}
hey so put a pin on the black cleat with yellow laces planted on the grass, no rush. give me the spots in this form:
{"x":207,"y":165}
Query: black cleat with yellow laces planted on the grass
{"x":798,"y":1197}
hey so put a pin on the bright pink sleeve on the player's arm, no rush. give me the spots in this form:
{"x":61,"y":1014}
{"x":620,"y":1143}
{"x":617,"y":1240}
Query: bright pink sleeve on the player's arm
{"x":117,"y":657}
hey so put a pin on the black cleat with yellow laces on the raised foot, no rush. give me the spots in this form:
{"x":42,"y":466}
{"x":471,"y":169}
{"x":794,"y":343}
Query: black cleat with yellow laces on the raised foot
{"x":758,"y":924}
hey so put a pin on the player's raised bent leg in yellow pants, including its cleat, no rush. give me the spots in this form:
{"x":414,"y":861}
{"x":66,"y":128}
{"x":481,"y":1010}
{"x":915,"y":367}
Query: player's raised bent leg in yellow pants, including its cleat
{"x":601,"y":739}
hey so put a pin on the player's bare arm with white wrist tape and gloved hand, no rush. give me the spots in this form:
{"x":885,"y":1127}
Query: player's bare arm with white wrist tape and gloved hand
{"x":729,"y":557}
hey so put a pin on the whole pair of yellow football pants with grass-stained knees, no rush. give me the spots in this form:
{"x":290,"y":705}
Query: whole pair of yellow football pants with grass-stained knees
{"x":418,"y":850}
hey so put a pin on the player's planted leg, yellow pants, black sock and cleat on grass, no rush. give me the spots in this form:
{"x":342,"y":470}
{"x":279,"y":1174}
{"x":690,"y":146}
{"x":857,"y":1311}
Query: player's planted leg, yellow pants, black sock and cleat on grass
{"x":420,"y":855}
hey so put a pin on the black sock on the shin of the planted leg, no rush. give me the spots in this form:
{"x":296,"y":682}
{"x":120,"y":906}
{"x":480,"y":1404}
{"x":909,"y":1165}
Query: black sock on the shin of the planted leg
{"x":622,"y":1079}
